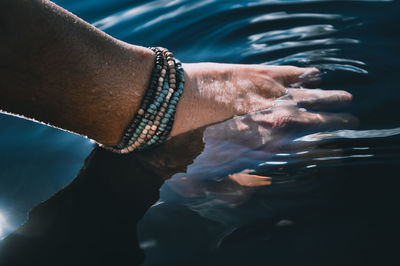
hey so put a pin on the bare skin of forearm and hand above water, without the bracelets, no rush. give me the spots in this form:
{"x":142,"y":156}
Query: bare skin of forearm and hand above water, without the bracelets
{"x":60,"y":70}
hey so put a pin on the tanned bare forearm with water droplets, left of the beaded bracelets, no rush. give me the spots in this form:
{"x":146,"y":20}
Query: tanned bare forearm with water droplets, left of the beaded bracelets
{"x":58,"y":69}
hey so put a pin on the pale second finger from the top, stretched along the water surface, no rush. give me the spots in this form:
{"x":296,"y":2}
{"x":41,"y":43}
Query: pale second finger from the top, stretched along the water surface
{"x":319,"y":99}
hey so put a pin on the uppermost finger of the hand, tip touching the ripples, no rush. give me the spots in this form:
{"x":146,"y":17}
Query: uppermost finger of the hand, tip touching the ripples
{"x":291,"y":76}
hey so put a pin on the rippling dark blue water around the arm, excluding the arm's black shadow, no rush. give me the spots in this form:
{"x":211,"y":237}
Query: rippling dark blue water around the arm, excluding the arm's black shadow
{"x":334,"y":197}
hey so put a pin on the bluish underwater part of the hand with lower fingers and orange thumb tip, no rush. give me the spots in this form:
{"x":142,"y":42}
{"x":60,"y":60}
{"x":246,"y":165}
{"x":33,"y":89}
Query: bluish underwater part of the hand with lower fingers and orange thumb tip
{"x":233,"y":145}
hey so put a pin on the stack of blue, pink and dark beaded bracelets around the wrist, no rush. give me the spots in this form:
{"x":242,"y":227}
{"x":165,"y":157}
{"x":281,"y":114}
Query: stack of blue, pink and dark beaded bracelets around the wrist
{"x":154,"y":119}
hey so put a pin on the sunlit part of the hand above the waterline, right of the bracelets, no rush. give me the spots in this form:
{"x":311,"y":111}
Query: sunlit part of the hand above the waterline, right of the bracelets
{"x":216,"y":92}
